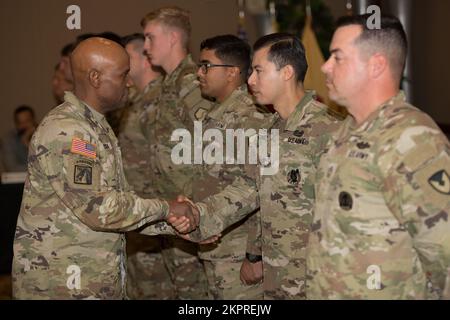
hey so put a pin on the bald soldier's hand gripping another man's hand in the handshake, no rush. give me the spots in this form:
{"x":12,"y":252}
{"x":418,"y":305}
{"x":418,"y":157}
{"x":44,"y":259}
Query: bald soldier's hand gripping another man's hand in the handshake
{"x":179,"y":210}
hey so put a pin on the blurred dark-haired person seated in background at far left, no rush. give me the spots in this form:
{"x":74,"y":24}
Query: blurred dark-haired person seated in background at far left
{"x":14,"y":146}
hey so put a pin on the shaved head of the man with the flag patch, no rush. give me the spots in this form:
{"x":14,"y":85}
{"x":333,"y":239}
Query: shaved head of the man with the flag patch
{"x":100,"y":68}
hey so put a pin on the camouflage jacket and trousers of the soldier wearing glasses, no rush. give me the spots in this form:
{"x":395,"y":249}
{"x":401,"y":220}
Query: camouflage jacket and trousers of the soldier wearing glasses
{"x":224,"y":259}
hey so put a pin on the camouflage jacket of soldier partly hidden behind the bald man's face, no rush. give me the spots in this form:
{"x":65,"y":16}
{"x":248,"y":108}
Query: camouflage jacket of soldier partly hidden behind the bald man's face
{"x":136,"y":153}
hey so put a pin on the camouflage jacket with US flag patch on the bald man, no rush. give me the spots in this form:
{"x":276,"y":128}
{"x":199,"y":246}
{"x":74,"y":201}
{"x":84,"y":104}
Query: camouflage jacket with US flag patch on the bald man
{"x":75,"y":194}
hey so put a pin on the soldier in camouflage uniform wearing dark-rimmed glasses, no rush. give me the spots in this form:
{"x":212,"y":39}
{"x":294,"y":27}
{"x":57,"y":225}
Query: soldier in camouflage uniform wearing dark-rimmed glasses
{"x":224,"y":61}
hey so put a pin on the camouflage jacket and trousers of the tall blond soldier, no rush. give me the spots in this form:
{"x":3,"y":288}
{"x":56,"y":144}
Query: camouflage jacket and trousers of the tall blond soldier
{"x":178,"y":106}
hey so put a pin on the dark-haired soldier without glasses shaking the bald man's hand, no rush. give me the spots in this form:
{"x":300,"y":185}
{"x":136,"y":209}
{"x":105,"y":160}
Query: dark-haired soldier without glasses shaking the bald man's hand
{"x":285,"y":197}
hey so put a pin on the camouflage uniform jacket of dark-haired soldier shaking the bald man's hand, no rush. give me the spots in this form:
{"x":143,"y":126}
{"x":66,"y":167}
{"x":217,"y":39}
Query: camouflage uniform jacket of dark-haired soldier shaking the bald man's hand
{"x":285,"y":199}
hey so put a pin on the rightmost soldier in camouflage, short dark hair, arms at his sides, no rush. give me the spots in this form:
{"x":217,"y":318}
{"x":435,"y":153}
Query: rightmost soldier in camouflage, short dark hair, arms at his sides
{"x":381,"y":227}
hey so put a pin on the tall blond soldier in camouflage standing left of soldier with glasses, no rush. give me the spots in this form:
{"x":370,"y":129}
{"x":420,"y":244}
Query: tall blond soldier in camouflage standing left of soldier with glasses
{"x":167,"y":32}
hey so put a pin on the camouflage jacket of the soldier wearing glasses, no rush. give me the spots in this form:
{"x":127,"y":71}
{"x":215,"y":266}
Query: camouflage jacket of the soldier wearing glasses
{"x":236,"y":112}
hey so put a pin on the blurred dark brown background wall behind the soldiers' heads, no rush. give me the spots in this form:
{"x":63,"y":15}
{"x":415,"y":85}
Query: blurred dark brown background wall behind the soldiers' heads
{"x":33,"y":33}
